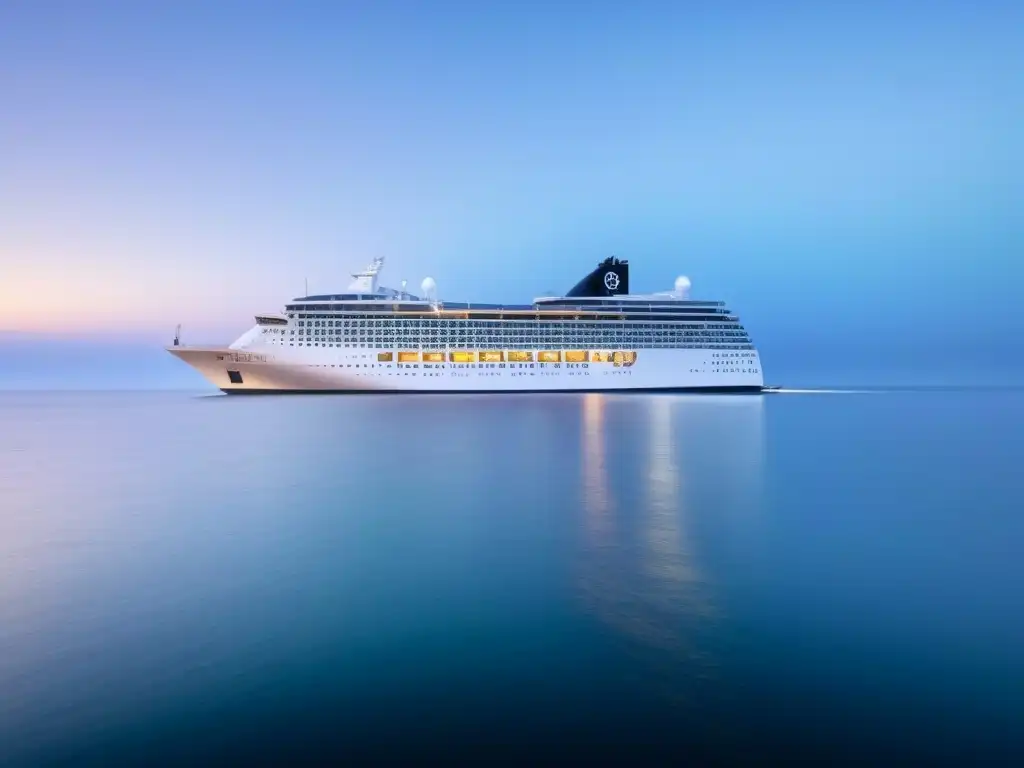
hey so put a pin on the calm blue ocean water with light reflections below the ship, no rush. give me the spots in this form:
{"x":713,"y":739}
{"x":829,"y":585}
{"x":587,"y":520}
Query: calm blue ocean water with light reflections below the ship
{"x":192,"y":578}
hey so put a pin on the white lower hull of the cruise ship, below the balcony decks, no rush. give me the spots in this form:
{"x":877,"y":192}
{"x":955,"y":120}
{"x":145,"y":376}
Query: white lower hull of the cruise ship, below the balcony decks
{"x":267,"y":368}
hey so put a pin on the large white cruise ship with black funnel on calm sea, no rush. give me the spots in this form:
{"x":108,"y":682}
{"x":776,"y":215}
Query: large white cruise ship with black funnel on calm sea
{"x":598,"y":337}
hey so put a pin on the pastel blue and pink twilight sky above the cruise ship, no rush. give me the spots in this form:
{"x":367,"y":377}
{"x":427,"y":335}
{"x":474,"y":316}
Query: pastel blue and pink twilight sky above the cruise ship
{"x":846,"y":174}
